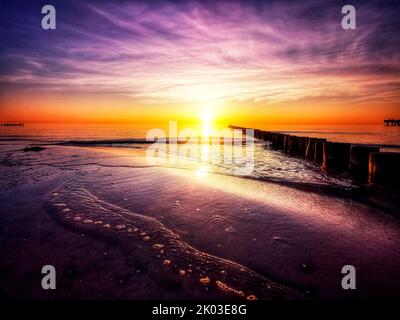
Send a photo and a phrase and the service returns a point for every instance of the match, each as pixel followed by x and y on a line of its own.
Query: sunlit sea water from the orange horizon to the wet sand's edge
pixel 268 164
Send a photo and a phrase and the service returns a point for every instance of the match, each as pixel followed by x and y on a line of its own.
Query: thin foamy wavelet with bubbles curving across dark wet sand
pixel 155 246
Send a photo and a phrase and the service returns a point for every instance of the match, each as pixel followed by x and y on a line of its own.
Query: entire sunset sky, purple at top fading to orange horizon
pixel 246 62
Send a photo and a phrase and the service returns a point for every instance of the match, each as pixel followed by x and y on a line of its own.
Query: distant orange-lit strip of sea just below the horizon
pixel 369 134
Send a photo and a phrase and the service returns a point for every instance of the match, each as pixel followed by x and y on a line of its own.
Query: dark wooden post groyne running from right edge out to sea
pixel 365 164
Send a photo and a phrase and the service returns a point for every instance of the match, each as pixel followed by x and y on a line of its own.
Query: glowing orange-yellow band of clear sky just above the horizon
pixel 118 109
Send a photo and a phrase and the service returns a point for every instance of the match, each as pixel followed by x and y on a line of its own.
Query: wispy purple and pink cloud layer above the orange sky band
pixel 188 50
